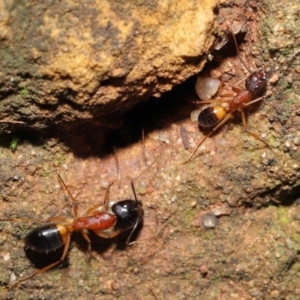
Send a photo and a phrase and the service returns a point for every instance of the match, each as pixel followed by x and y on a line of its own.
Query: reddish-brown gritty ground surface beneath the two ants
pixel 252 252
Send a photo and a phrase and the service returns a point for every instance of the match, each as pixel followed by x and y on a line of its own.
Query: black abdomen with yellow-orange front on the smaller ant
pixel 211 116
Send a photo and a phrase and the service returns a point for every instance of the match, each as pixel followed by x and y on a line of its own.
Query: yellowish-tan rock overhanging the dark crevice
pixel 67 62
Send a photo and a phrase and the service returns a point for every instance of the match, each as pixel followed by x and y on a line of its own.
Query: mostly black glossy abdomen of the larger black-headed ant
pixel 46 238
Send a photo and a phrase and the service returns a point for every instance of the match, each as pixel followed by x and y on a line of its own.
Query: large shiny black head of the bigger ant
pixel 129 214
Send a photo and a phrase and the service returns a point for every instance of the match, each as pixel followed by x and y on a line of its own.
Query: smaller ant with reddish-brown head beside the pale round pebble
pixel 216 115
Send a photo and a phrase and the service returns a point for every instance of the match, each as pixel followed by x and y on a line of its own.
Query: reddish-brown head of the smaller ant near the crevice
pixel 256 83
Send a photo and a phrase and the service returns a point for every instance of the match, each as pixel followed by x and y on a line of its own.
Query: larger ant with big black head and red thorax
pixel 106 220
